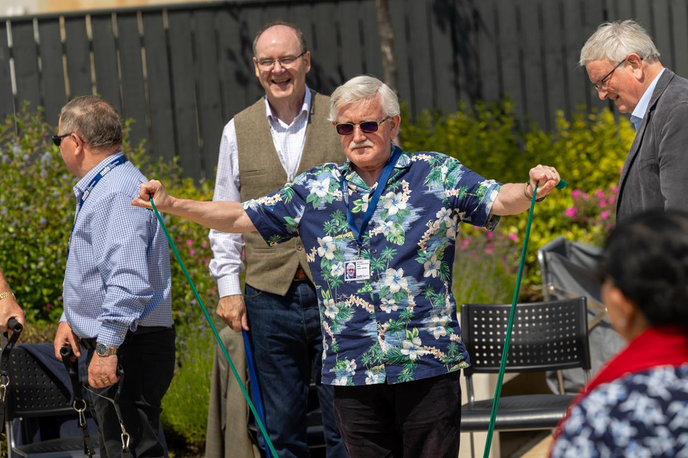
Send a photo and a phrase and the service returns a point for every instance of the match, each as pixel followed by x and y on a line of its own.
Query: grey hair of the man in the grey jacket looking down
pixel 616 40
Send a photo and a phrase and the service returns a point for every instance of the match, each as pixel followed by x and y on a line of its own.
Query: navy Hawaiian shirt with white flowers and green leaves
pixel 401 323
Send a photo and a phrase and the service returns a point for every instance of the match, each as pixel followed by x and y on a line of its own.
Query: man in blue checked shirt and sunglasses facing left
pixel 117 286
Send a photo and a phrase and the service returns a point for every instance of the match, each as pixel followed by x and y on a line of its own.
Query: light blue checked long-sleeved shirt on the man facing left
pixel 118 269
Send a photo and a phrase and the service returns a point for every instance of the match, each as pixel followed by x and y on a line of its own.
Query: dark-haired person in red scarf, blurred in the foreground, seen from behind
pixel 637 405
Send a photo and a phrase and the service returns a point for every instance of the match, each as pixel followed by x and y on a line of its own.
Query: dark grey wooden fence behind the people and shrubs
pixel 182 71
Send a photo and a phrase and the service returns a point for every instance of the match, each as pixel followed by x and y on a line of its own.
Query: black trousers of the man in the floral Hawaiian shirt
pixel 419 419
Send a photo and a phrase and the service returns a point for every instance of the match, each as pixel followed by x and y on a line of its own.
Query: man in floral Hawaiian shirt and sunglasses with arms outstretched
pixel 392 343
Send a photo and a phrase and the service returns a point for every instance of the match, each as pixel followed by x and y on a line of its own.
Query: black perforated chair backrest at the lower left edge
pixel 34 391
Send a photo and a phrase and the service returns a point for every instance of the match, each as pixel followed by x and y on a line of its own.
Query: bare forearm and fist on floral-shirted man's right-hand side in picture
pixel 514 198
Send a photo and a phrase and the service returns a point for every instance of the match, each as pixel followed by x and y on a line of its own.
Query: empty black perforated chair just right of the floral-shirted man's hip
pixel 546 336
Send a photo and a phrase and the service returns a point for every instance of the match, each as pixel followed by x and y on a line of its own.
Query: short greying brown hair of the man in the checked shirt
pixel 95 120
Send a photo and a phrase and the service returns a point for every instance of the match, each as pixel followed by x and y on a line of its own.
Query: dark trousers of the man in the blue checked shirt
pixel 148 363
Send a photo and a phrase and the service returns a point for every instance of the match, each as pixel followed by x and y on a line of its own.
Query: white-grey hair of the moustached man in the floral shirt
pixel 364 87
